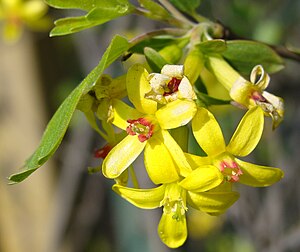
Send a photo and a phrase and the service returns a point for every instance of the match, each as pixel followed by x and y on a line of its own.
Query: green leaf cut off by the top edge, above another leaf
pixel 84 4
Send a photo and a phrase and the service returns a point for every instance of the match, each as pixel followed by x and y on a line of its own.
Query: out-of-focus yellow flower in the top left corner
pixel 15 13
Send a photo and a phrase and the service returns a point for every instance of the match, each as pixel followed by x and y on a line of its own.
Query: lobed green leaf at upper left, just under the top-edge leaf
pixel 96 16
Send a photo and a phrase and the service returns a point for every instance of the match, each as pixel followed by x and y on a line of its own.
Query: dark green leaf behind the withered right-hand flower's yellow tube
pixel 243 55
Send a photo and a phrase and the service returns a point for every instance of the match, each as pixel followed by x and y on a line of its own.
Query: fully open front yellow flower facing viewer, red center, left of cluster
pixel 146 127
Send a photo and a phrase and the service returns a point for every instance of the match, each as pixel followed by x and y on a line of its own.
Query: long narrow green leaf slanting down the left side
pixel 59 123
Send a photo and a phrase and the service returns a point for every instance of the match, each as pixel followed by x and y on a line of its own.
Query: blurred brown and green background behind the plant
pixel 61 208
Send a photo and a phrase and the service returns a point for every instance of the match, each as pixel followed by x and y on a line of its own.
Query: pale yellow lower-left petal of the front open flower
pixel 121 156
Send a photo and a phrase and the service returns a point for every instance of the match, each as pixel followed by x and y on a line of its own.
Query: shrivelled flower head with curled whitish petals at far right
pixel 252 94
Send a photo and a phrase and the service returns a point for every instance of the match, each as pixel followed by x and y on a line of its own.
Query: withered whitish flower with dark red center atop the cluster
pixel 170 85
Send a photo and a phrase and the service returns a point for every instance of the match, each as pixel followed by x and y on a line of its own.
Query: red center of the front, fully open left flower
pixel 140 127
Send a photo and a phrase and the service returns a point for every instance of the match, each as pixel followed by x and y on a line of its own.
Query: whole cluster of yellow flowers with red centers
pixel 160 110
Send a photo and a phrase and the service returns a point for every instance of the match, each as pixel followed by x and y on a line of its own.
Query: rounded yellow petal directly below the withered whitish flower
pixel 176 113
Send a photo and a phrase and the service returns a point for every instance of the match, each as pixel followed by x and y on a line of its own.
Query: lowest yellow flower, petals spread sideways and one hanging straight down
pixel 174 198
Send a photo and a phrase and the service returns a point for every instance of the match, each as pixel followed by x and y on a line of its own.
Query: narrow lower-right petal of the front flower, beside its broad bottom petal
pixel 176 153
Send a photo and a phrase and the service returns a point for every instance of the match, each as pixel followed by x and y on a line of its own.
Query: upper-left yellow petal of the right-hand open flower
pixel 208 132
